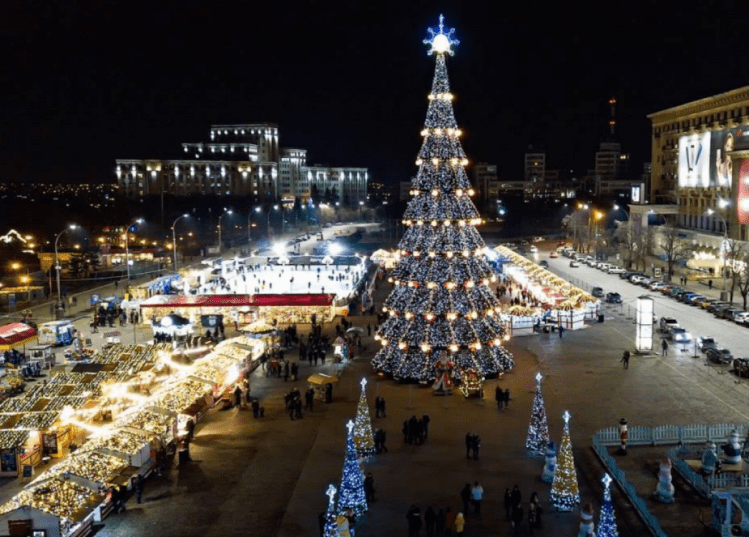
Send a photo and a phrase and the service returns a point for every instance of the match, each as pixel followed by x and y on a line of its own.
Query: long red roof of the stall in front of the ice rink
pixel 214 301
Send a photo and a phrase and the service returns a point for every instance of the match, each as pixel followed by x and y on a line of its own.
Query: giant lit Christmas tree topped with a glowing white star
pixel 441 307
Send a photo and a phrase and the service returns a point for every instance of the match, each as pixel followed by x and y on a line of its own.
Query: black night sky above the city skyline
pixel 85 82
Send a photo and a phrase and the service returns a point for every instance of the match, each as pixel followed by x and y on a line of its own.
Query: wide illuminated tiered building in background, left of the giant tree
pixel 240 160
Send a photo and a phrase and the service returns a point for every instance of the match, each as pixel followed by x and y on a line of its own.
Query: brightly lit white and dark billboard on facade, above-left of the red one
pixel 703 157
